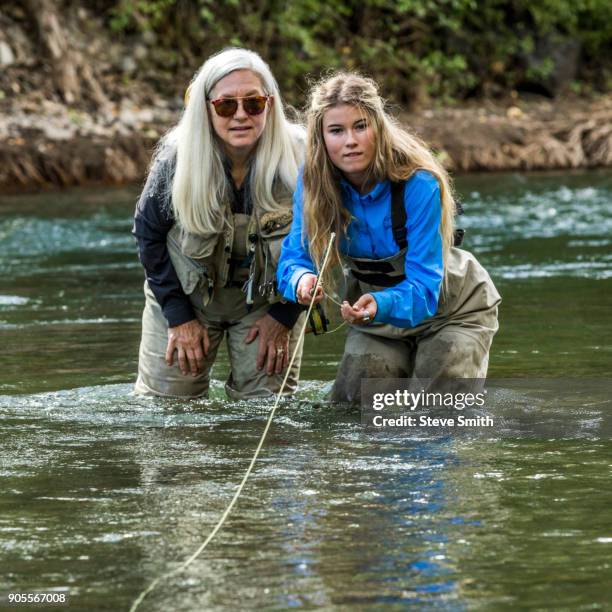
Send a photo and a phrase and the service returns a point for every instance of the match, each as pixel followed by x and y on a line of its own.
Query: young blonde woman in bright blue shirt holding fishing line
pixel 416 304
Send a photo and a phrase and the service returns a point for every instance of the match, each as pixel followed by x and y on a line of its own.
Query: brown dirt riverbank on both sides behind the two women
pixel 49 145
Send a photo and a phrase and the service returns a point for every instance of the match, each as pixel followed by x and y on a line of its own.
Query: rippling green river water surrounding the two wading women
pixel 103 491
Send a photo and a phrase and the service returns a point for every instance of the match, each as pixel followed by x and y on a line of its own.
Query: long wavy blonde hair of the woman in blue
pixel 398 155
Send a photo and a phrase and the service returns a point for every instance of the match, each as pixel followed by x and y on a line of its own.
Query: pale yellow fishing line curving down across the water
pixel 224 516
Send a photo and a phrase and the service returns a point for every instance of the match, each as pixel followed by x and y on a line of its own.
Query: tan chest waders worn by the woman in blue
pixel 453 343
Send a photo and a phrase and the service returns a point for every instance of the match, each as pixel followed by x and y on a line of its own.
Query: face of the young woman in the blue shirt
pixel 350 142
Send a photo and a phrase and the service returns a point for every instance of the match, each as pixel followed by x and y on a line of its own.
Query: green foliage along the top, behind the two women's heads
pixel 419 50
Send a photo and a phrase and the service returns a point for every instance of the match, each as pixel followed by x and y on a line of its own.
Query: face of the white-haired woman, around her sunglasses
pixel 240 132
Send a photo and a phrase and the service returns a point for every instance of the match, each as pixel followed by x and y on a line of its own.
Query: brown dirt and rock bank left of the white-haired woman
pixel 61 146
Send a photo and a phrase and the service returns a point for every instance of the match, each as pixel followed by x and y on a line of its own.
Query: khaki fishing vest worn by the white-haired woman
pixel 244 254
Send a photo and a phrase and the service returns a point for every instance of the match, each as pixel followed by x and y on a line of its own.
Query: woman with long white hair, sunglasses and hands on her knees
pixel 209 226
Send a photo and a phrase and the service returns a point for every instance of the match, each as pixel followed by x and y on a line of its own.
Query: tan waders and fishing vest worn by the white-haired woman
pixel 223 276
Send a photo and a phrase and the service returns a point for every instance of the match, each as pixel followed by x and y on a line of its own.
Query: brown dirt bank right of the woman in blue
pixel 527 135
